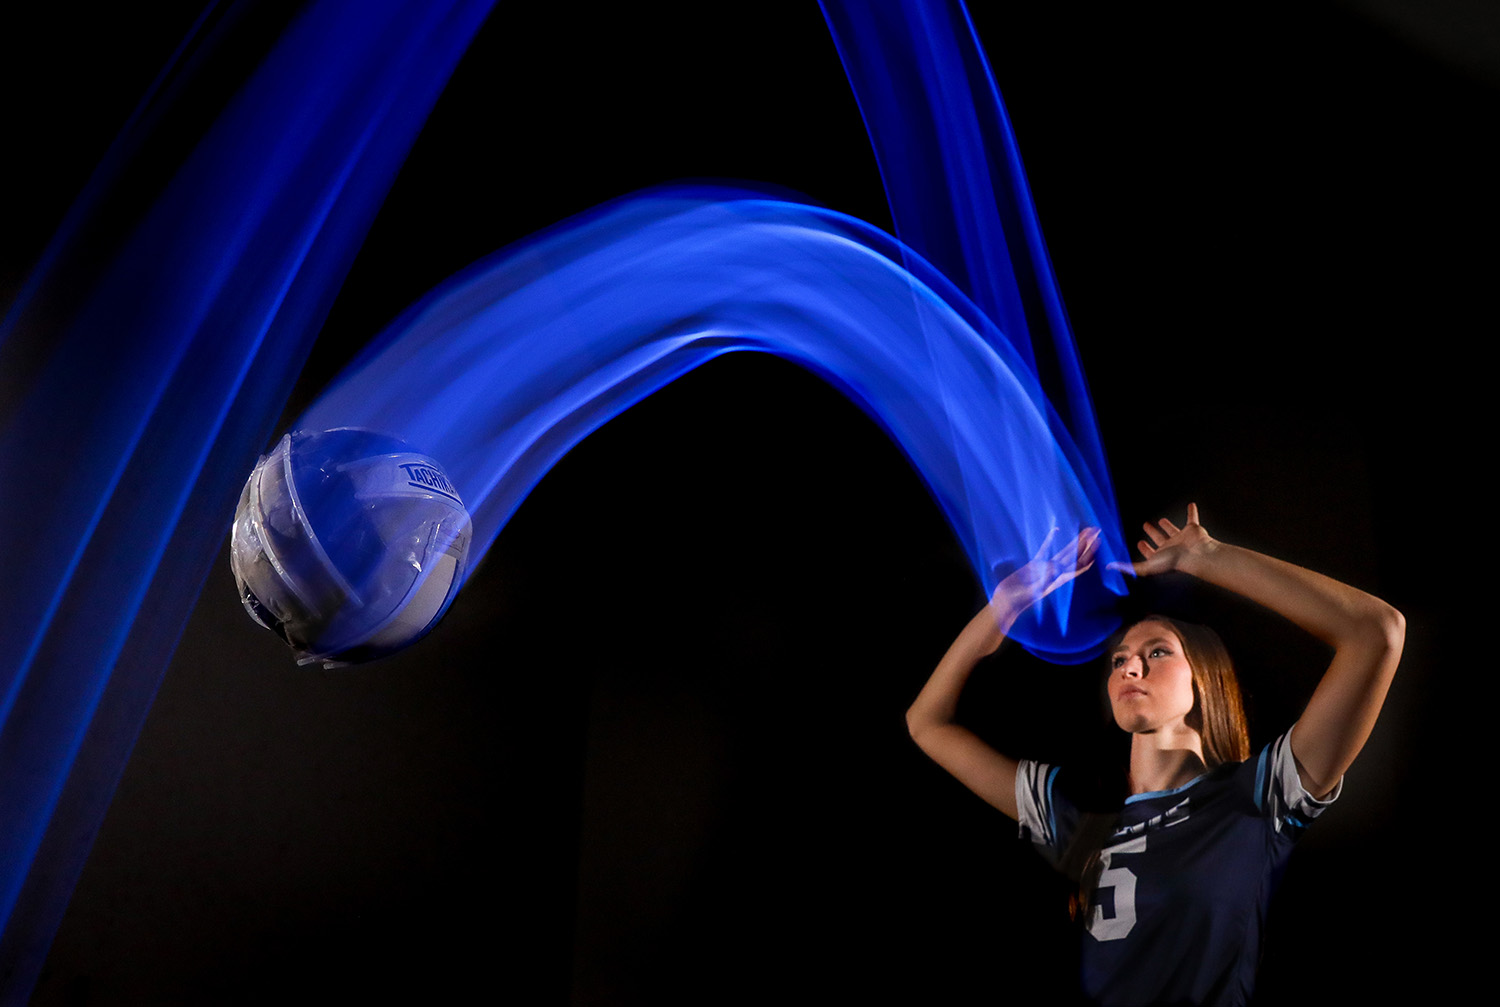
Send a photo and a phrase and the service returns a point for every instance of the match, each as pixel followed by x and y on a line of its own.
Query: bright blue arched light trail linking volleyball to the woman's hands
pixel 508 367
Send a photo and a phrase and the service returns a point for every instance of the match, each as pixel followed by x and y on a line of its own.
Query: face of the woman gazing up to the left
pixel 1151 682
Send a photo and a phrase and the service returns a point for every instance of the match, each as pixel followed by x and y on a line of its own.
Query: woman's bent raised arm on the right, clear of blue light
pixel 1367 637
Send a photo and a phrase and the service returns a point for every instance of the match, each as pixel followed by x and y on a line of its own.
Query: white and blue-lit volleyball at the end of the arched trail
pixel 349 544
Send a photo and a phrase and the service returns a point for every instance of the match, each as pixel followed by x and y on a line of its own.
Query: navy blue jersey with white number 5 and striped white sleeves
pixel 1187 877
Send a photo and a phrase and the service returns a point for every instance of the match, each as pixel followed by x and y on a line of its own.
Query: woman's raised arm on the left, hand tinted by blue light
pixel 931 720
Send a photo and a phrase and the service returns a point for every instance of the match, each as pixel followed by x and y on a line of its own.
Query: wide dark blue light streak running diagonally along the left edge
pixel 143 391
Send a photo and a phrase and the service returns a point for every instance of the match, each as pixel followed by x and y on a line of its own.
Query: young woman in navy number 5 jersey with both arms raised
pixel 1175 883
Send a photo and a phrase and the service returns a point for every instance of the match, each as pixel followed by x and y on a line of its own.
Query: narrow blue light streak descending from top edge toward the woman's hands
pixel 956 187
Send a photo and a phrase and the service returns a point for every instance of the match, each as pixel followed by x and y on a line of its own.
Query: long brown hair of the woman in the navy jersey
pixel 1219 717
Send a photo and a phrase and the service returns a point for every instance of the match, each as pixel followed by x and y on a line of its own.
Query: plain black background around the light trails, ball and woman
pixel 656 751
